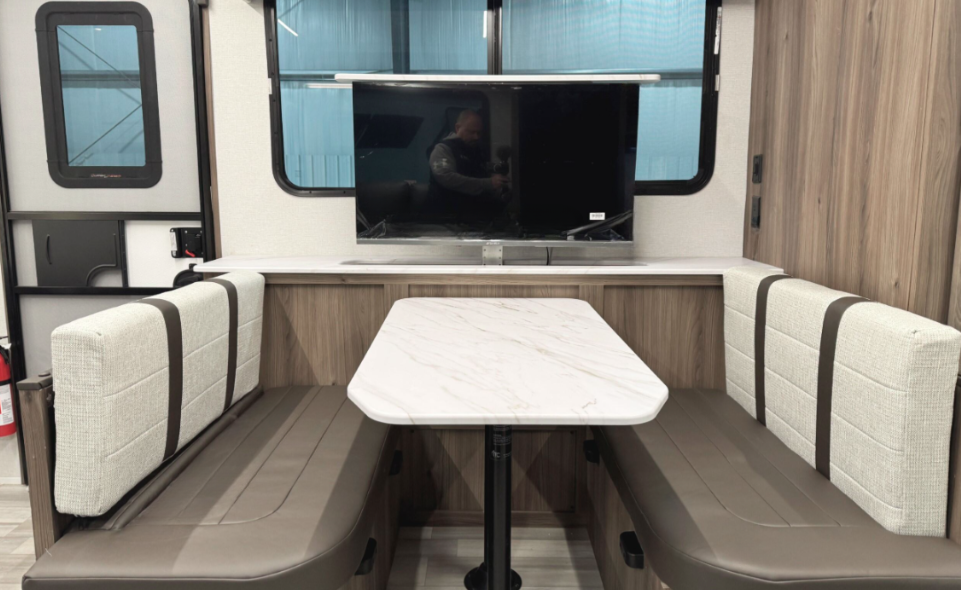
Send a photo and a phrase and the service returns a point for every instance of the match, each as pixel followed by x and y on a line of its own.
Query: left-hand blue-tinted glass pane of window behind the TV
pixel 317 40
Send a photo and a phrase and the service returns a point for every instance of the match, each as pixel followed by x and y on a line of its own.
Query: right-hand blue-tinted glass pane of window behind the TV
pixel 623 36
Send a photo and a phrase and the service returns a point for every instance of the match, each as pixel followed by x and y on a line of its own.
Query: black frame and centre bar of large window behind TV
pixel 709 101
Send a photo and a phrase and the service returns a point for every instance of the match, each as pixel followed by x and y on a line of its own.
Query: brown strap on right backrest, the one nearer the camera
pixel 829 345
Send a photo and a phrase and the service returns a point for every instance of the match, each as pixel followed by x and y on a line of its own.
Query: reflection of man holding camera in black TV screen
pixel 460 182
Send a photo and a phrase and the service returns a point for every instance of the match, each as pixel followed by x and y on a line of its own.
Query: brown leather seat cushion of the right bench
pixel 719 502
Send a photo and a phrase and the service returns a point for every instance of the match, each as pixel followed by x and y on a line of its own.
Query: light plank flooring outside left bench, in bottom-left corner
pixel 16 535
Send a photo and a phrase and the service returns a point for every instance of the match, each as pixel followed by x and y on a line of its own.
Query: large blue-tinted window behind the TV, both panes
pixel 310 41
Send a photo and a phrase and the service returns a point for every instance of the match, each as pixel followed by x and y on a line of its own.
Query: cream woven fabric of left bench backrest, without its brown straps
pixel 111 373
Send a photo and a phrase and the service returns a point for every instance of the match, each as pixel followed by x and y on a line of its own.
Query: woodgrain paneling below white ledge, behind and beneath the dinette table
pixel 318 334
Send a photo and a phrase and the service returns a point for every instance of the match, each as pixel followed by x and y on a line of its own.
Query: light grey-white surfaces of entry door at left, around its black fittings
pixel 32 189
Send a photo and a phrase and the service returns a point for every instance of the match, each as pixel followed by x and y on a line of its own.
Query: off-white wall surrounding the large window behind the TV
pixel 257 217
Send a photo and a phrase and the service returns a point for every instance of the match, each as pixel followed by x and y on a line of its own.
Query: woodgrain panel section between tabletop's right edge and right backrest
pixel 677 331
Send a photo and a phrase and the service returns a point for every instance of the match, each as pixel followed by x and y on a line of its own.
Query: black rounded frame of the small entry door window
pixel 54 14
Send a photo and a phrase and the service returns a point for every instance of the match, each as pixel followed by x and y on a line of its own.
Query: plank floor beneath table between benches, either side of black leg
pixel 438 558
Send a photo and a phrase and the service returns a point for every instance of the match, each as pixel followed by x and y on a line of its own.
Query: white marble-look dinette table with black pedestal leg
pixel 502 363
